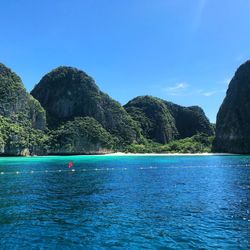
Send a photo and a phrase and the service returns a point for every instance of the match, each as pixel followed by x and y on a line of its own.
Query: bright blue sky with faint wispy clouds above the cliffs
pixel 184 51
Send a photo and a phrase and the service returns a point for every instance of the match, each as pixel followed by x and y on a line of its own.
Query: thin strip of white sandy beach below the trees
pixel 168 154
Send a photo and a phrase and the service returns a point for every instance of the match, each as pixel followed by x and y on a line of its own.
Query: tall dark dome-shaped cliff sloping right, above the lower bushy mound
pixel 66 93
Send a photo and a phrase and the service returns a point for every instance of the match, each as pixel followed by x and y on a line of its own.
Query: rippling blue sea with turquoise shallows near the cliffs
pixel 128 202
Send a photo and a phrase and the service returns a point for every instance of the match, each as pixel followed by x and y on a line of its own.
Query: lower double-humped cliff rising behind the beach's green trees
pixel 162 121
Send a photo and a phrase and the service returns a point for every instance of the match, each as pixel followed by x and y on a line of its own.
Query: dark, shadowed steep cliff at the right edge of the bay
pixel 233 118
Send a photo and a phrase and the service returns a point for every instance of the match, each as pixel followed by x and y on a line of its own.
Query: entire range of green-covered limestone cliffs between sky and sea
pixel 67 113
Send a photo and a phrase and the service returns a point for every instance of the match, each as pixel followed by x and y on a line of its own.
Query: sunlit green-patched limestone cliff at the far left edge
pixel 22 118
